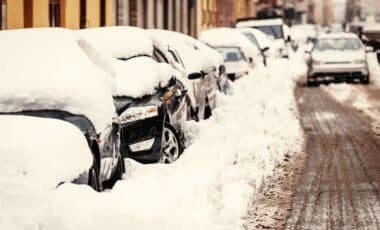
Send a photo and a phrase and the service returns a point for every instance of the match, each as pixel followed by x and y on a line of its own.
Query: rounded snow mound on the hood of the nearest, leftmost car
pixel 39 153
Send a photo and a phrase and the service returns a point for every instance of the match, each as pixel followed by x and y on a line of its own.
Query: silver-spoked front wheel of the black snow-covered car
pixel 171 147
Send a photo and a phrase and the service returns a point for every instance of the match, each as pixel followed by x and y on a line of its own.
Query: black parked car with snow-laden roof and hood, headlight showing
pixel 149 98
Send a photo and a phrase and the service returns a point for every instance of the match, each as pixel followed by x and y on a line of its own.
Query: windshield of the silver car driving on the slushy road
pixel 337 44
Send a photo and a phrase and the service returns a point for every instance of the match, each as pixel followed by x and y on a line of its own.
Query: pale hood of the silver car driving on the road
pixel 338 56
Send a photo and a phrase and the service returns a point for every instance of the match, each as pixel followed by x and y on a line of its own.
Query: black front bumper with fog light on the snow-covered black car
pixel 141 140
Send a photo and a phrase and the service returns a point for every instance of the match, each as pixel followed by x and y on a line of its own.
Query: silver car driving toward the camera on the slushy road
pixel 338 56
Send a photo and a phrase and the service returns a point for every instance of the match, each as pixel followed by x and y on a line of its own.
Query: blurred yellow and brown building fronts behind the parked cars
pixel 186 16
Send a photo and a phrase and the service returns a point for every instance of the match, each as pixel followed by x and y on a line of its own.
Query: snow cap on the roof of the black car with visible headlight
pixel 119 41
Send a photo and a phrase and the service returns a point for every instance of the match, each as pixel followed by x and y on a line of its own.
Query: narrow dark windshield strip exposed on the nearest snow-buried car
pixel 80 121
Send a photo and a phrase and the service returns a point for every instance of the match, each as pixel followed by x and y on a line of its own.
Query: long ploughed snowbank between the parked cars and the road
pixel 210 186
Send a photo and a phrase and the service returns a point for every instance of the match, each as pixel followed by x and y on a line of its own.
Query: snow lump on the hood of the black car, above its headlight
pixel 141 76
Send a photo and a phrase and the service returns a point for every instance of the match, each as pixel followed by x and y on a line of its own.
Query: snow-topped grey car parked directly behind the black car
pixel 202 66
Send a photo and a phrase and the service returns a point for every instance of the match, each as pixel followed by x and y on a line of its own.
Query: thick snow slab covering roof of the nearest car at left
pixel 45 69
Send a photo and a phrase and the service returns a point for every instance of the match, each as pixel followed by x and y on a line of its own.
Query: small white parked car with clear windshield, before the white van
pixel 235 62
